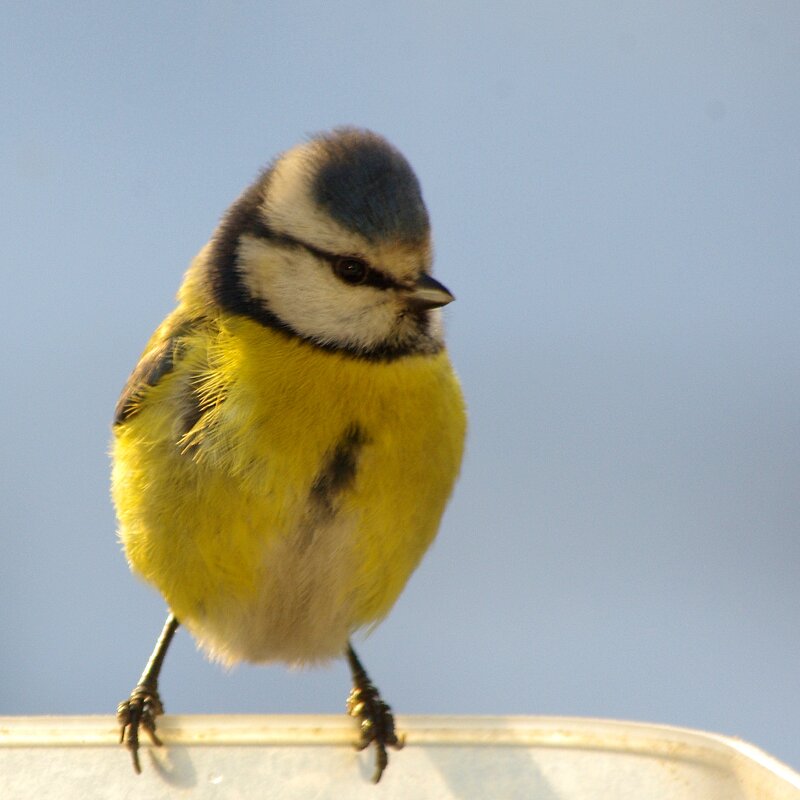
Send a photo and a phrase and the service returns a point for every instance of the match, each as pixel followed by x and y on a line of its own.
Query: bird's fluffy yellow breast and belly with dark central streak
pixel 296 508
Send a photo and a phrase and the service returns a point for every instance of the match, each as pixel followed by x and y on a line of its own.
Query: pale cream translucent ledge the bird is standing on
pixel 553 758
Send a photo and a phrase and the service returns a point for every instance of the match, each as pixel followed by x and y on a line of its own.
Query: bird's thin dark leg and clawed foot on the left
pixel 144 704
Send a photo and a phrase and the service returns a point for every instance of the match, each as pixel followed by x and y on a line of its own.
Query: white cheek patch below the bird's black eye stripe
pixel 304 293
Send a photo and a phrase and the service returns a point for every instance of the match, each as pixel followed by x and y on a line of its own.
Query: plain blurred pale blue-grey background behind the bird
pixel 615 190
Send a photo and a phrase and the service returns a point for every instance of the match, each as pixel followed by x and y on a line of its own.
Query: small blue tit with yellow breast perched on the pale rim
pixel 284 450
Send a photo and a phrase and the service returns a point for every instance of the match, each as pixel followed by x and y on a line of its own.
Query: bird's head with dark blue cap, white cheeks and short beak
pixel 332 243
